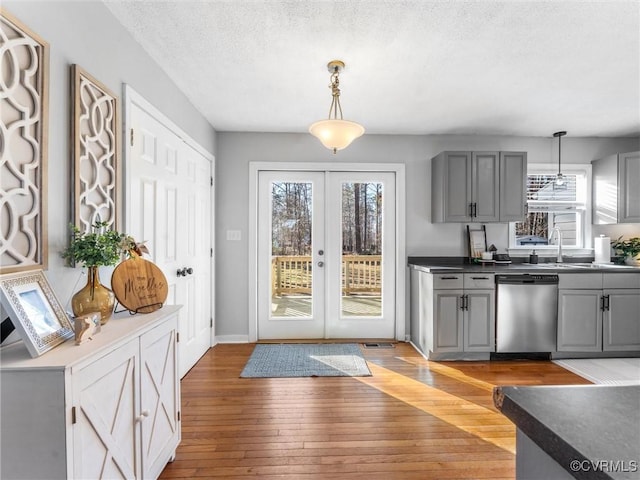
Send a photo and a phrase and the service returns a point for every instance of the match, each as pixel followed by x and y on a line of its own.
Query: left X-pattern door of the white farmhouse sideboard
pixel 105 394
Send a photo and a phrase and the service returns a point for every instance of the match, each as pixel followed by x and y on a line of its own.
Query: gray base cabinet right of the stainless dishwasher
pixel 599 312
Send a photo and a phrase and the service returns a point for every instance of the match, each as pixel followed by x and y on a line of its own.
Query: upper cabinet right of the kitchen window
pixel 616 197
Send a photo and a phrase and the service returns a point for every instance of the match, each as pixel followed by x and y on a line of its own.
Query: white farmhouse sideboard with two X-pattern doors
pixel 106 409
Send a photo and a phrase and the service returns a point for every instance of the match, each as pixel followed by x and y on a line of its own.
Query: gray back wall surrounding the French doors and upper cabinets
pixel 236 150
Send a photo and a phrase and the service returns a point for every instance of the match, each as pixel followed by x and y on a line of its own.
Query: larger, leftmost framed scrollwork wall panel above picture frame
pixel 24 81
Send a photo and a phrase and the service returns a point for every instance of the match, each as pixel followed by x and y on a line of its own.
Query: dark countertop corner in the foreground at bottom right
pixel 580 423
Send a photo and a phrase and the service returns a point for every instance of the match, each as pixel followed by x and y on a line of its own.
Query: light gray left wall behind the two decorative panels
pixel 87 34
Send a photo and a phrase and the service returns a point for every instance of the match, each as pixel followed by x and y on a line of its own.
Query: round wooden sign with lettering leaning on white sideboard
pixel 139 285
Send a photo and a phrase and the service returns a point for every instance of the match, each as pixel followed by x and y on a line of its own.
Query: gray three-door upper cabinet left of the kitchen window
pixel 478 186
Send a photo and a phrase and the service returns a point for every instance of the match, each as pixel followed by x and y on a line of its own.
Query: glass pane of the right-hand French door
pixel 361 250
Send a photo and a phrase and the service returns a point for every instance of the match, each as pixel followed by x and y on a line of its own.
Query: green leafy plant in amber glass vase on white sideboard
pixel 95 248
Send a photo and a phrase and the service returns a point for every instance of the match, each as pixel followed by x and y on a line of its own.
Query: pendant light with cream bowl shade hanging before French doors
pixel 336 133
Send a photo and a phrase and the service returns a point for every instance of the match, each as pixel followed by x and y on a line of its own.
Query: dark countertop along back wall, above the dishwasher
pixel 460 264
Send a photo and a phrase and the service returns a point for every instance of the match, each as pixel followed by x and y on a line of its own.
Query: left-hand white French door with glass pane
pixel 291 255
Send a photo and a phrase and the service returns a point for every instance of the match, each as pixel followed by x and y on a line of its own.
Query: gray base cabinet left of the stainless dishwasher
pixel 453 314
